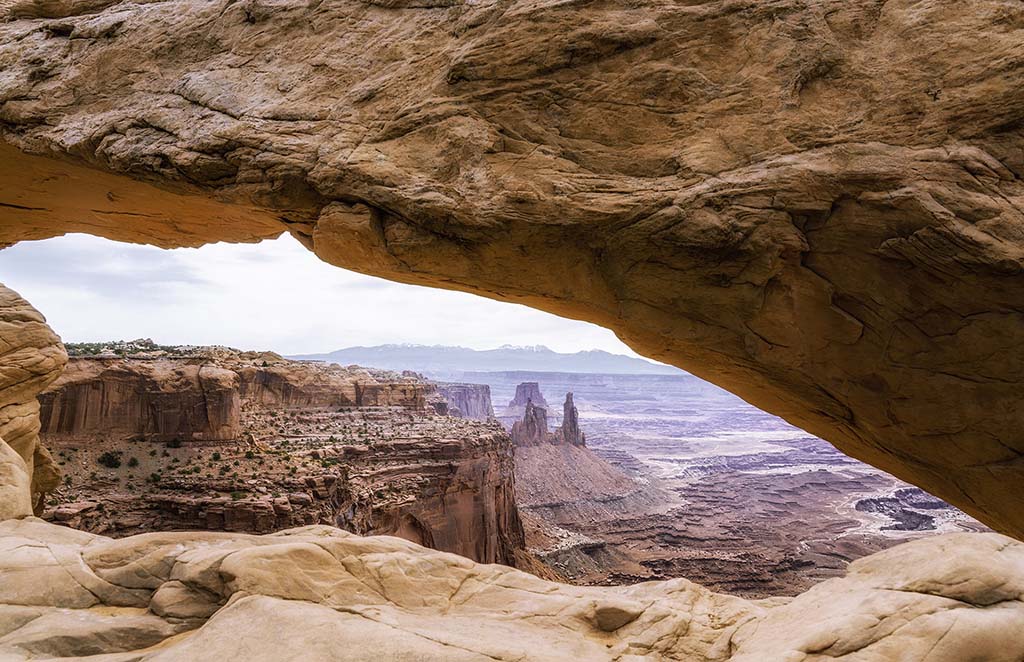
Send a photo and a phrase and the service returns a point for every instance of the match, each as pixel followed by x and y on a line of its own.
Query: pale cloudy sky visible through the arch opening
pixel 274 296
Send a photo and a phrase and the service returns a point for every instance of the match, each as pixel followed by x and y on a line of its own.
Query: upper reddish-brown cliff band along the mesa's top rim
pixel 200 398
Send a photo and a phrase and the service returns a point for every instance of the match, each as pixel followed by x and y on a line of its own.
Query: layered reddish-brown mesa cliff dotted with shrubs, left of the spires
pixel 231 442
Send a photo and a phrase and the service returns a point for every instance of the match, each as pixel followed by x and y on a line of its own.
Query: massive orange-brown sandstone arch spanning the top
pixel 817 205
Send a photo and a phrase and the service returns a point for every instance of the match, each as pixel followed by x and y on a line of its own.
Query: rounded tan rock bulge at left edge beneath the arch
pixel 31 358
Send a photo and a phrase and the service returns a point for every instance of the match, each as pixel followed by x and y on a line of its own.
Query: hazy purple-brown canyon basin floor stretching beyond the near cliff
pixel 679 479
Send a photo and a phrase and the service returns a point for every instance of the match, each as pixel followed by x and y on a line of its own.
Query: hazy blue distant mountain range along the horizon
pixel 448 360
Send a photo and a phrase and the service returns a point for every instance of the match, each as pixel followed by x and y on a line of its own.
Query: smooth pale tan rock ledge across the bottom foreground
pixel 68 595
